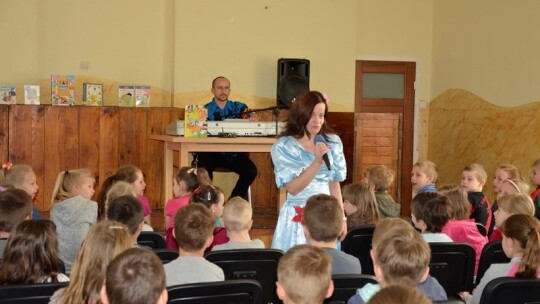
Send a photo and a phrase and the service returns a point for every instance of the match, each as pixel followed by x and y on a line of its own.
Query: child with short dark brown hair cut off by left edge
pixel 15 207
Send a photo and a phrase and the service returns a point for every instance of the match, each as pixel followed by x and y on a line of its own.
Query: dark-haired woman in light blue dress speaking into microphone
pixel 299 165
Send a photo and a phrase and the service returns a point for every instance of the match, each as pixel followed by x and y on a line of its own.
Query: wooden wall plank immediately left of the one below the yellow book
pixel 71 136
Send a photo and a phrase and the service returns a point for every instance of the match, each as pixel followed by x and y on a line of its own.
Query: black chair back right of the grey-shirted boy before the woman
pixel 358 243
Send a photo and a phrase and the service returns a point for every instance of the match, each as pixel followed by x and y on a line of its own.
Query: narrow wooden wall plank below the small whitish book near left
pixel 38 155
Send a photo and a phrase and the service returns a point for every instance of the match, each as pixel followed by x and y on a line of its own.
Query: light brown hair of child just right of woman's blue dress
pixel 360 195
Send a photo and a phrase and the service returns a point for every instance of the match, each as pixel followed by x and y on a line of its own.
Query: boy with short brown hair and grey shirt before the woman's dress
pixel 323 219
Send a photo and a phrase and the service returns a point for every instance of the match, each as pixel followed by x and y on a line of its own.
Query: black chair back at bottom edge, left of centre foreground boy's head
pixel 225 292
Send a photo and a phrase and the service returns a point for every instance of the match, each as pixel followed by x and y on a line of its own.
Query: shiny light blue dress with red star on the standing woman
pixel 290 160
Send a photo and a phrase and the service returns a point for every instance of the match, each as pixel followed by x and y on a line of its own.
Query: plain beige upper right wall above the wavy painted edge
pixel 488 47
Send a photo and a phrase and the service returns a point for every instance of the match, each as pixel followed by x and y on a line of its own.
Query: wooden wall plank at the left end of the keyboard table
pixel 154 155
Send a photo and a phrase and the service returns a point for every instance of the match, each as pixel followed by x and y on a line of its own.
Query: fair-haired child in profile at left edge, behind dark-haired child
pixel 20 177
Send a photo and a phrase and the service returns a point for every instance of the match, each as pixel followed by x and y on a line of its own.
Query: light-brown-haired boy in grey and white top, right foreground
pixel 400 256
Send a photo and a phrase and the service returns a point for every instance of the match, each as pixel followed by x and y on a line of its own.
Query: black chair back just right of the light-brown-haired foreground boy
pixel 452 264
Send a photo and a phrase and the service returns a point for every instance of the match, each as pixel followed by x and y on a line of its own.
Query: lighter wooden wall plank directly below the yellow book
pixel 89 132
